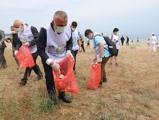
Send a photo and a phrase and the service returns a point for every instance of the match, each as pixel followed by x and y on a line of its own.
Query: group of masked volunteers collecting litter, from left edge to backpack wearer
pixel 53 43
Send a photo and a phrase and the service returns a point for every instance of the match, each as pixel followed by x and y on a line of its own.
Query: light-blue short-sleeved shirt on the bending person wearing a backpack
pixel 97 40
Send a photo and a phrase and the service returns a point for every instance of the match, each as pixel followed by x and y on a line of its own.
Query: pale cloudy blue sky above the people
pixel 132 17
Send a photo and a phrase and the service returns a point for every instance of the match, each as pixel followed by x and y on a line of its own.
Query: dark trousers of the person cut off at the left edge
pixel 3 63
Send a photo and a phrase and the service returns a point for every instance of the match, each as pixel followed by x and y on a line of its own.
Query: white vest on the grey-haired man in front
pixel 56 43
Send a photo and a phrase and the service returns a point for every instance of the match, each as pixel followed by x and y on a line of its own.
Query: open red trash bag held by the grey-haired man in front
pixel 68 82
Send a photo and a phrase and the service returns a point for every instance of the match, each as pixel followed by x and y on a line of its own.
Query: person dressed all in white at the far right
pixel 153 42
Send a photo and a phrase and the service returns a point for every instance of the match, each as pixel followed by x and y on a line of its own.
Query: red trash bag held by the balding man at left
pixel 24 57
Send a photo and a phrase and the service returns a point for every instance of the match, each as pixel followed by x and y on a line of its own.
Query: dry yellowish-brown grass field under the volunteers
pixel 132 92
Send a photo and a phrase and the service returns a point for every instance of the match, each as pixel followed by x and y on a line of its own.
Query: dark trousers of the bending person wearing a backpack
pixel 103 73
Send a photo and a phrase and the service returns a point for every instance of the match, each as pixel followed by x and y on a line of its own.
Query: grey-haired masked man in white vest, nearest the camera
pixel 54 44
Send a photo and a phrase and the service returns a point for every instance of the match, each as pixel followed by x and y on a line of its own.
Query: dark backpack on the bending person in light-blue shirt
pixel 111 45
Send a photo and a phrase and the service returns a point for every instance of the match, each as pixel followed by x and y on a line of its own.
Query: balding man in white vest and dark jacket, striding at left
pixel 26 35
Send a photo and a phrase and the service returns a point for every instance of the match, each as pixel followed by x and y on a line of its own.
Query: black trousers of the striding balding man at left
pixel 35 68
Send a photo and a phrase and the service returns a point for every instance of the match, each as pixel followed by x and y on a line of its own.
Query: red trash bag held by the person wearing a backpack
pixel 95 76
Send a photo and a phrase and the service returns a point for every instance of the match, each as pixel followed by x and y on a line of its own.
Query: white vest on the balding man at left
pixel 27 36
